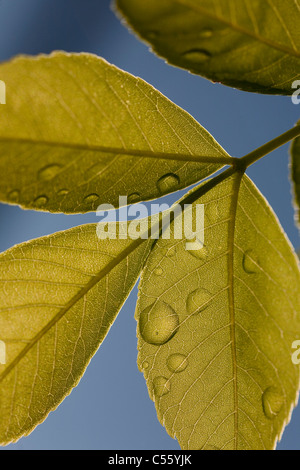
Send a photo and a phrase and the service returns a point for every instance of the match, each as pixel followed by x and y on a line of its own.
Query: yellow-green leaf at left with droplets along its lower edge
pixel 77 132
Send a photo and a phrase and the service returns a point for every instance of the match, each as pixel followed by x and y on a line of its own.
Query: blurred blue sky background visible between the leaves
pixel 110 409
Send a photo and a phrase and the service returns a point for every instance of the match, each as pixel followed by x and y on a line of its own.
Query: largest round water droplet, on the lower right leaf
pixel 158 323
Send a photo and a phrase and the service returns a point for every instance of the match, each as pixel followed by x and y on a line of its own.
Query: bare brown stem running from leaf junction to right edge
pixel 257 154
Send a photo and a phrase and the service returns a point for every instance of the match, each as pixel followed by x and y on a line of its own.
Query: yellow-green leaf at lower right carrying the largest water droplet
pixel 216 325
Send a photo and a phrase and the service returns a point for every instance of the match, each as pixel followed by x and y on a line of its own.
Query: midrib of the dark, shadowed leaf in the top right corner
pixel 236 27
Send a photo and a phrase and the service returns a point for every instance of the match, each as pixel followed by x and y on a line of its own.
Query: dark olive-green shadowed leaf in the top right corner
pixel 253 45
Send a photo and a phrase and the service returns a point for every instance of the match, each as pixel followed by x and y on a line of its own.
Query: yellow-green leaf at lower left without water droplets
pixel 59 295
